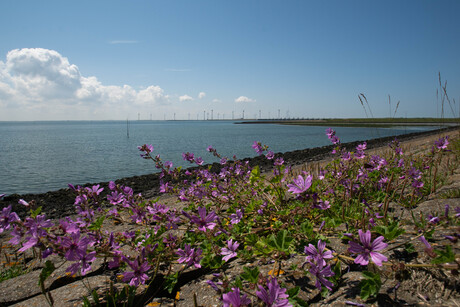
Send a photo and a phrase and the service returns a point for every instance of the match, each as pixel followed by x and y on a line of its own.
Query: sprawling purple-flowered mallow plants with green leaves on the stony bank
pixel 239 214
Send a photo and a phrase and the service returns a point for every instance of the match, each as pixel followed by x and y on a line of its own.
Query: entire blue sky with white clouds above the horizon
pixel 118 60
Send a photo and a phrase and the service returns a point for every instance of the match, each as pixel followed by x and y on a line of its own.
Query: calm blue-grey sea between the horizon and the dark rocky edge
pixel 37 157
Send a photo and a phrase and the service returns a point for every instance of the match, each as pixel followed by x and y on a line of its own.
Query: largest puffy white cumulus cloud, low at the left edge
pixel 37 77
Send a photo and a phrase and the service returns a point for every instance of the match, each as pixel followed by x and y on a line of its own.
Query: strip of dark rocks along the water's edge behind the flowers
pixel 57 204
